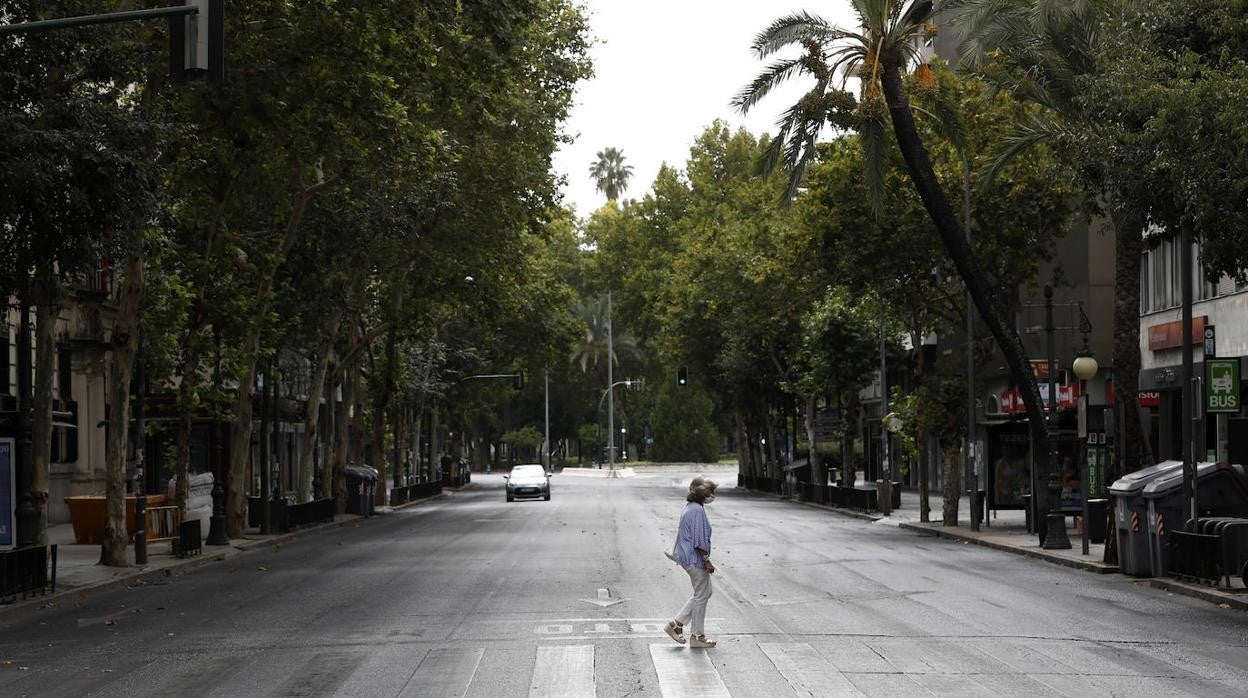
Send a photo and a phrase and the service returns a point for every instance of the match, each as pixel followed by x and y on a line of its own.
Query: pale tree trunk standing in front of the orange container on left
pixel 124 343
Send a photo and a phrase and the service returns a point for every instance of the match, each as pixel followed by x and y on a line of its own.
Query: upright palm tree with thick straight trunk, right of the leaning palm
pixel 1046 49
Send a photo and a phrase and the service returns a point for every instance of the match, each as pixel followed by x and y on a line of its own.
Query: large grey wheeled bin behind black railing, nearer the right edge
pixel 1221 490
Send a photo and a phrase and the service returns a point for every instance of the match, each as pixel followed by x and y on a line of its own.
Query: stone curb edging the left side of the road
pixel 22 611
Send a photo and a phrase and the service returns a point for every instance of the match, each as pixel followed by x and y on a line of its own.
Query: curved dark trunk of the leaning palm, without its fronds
pixel 1007 335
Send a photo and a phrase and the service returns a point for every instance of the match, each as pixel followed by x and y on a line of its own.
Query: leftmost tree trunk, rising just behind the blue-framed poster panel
pixel 48 302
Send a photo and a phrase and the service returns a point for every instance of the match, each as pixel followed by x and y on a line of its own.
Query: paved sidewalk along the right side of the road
pixel 1008 531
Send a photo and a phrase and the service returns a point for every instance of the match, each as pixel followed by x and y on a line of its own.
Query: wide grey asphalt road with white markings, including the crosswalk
pixel 471 596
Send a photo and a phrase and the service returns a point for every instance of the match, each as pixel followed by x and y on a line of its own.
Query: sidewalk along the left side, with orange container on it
pixel 79 574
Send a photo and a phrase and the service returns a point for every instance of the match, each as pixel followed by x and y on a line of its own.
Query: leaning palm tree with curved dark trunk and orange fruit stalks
pixel 880 53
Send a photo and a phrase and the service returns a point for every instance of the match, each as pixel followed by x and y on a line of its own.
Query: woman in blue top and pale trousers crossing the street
pixel 693 555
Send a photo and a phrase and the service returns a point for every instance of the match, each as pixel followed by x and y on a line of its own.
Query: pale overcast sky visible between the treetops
pixel 665 71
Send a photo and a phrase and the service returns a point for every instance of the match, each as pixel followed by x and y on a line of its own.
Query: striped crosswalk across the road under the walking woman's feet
pixel 742 666
